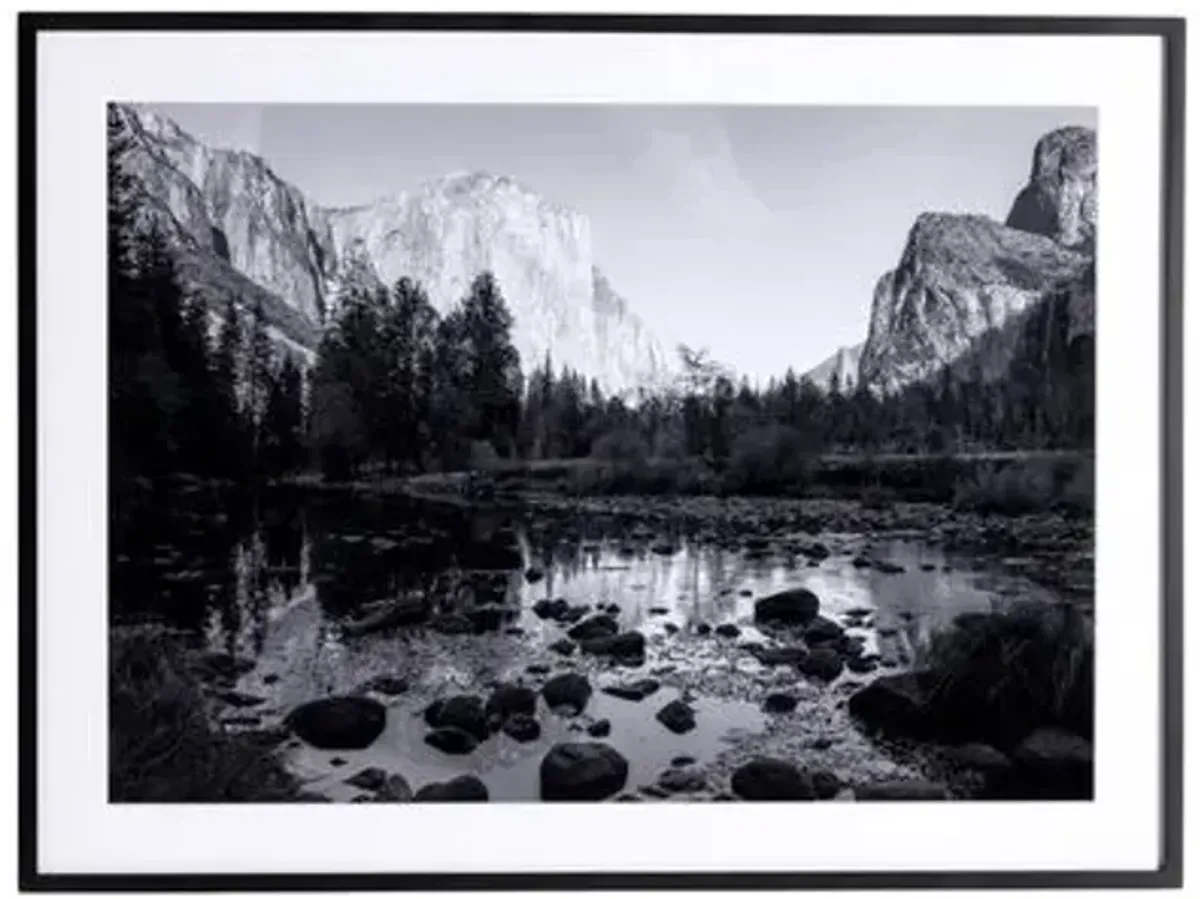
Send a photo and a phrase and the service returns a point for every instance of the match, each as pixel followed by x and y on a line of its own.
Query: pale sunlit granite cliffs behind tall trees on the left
pixel 243 231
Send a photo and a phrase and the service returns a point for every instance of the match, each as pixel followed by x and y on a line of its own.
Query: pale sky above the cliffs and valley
pixel 757 232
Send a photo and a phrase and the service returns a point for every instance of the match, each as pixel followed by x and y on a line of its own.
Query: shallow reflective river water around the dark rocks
pixel 277 585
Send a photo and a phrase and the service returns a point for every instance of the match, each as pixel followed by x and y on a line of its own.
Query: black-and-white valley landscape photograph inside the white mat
pixel 646 454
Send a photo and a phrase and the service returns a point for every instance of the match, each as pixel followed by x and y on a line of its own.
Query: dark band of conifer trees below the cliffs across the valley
pixel 397 386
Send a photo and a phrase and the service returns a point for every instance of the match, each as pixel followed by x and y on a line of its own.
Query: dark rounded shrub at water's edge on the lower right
pixel 1000 676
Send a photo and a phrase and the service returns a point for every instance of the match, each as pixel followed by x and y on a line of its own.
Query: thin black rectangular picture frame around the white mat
pixel 1173 34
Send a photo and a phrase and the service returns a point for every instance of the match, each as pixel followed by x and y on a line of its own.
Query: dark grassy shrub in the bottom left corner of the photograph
pixel 161 745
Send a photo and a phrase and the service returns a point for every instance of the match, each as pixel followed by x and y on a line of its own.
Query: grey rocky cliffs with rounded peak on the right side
pixel 965 284
